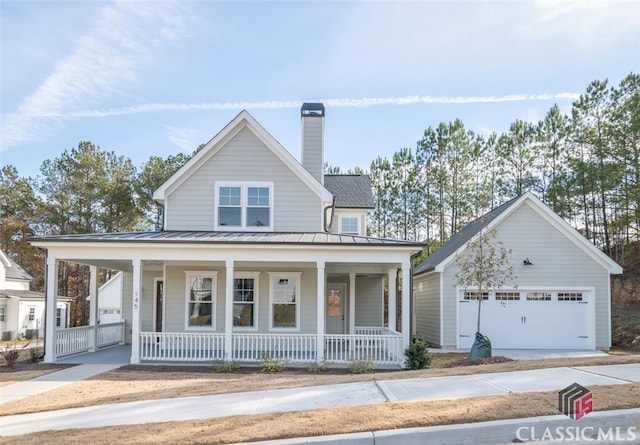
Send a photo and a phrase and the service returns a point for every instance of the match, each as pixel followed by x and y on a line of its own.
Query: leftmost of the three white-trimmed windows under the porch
pixel 201 299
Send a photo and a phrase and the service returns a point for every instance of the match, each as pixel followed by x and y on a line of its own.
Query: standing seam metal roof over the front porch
pixel 205 237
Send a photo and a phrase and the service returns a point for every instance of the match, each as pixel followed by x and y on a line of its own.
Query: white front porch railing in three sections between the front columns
pixel 380 345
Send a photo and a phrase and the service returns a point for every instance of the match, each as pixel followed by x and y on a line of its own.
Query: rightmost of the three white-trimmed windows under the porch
pixel 284 298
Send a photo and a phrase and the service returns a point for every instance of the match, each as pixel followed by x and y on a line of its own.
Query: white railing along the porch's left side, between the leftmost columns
pixel 81 339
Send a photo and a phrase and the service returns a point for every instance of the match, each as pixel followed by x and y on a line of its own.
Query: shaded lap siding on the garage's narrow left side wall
pixel 427 308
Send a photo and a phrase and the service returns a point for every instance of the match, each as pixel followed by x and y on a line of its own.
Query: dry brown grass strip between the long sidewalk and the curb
pixel 333 421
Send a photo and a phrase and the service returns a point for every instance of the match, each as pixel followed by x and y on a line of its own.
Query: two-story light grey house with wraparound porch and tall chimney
pixel 259 254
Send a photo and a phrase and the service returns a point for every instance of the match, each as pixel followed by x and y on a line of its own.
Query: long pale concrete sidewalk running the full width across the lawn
pixel 309 398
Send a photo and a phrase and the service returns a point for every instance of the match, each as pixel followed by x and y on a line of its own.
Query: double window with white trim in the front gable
pixel 244 206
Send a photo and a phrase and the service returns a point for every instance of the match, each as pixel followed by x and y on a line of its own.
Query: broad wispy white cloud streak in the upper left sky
pixel 103 60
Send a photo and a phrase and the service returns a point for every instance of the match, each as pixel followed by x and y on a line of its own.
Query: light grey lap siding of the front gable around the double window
pixel 244 158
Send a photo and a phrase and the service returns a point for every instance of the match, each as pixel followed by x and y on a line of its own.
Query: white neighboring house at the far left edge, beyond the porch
pixel 22 310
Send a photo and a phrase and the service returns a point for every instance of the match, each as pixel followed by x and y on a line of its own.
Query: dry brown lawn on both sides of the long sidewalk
pixel 153 382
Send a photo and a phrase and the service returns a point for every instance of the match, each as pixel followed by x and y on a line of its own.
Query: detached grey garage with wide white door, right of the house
pixel 561 298
